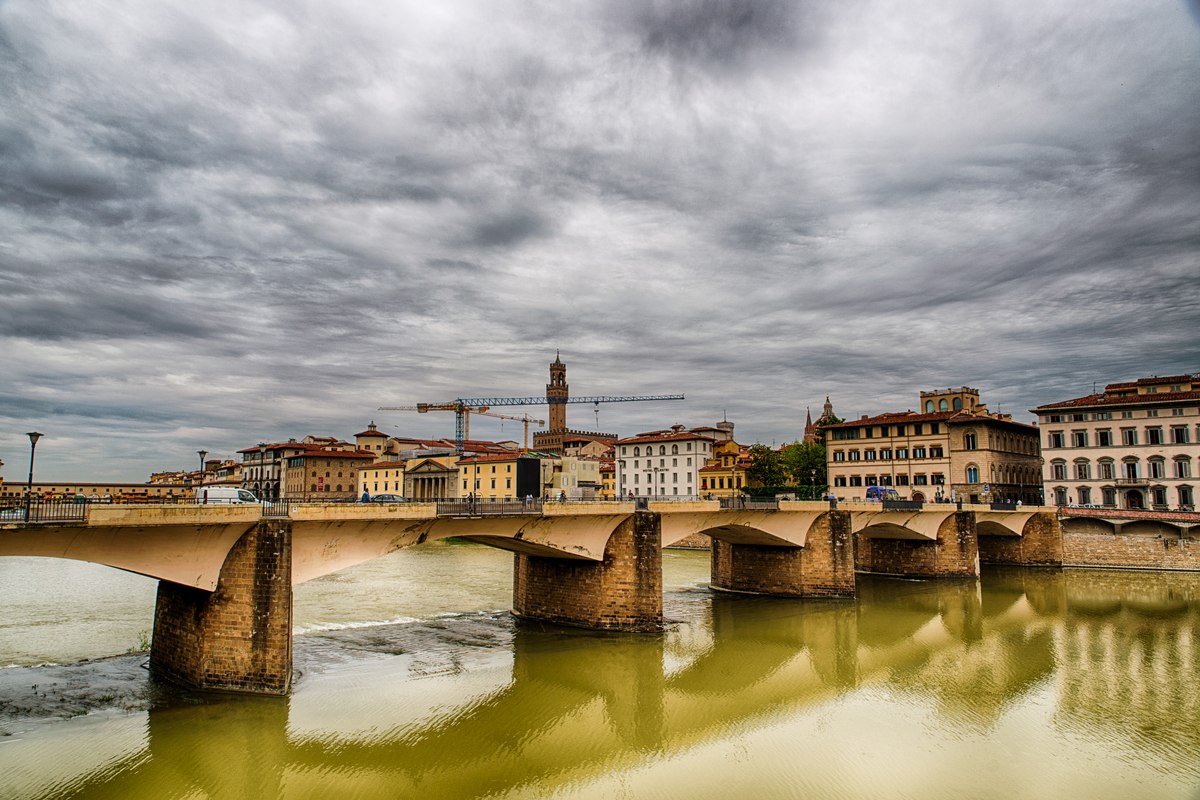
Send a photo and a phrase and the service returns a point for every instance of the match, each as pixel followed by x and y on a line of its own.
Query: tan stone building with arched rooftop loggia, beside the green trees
pixel 957 452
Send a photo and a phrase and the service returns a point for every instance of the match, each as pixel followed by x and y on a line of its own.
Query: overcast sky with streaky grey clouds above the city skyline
pixel 224 222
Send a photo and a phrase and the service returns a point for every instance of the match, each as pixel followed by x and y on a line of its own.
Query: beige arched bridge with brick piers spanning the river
pixel 224 612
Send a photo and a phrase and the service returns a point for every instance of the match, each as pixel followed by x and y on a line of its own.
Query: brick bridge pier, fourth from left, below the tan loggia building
pixel 953 555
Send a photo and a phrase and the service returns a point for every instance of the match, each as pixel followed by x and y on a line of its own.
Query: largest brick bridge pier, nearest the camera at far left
pixel 239 637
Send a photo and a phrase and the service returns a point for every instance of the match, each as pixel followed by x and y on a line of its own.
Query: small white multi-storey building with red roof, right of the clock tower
pixel 662 464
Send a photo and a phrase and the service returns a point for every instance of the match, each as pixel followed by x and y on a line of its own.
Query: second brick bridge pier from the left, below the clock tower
pixel 623 593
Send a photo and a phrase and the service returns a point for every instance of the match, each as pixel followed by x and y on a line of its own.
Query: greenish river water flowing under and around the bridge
pixel 413 681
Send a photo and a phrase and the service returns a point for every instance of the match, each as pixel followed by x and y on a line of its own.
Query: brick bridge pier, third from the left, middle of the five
pixel 824 568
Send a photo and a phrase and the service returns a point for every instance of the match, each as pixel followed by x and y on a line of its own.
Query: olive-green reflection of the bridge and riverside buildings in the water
pixel 1120 652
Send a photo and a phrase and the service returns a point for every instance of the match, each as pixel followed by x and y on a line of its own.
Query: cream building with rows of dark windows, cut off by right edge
pixel 1136 446
